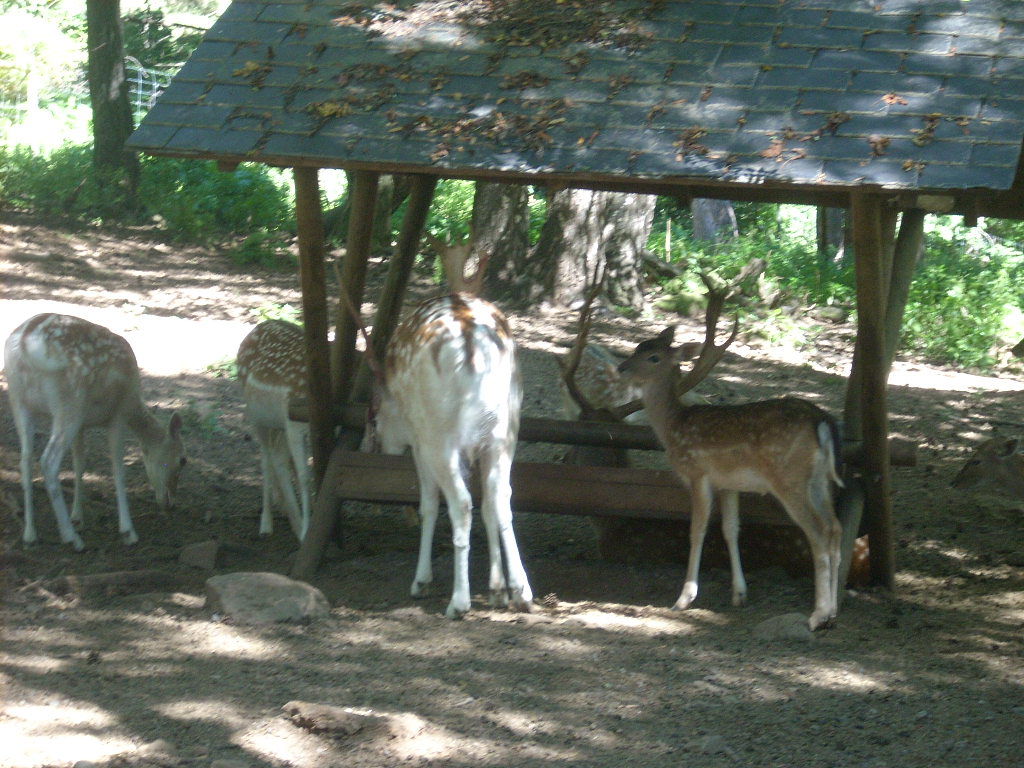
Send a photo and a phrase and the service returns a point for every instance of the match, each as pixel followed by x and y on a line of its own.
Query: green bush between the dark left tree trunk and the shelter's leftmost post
pixel 196 201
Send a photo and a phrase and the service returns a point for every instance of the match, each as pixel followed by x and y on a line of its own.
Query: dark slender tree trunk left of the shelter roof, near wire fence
pixel 112 118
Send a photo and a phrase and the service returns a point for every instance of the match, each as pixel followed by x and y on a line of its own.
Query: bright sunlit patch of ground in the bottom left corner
pixel 59 734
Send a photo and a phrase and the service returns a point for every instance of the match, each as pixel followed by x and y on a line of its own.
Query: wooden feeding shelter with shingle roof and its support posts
pixel 883 107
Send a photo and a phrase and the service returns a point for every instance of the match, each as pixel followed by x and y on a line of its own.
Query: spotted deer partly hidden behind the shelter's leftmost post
pixel 273 371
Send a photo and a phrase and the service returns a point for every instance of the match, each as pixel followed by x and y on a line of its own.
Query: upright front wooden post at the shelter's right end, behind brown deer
pixel 873 286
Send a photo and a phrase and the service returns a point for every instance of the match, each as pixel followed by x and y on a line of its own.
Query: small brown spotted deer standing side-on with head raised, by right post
pixel 788 448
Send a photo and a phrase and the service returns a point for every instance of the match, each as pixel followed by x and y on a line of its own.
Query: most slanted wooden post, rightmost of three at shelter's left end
pixel 400 268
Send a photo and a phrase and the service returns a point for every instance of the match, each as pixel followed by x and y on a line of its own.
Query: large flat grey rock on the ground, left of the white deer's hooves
pixel 264 599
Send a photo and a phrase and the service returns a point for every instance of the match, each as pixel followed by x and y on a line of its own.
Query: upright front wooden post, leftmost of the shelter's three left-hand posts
pixel 310 219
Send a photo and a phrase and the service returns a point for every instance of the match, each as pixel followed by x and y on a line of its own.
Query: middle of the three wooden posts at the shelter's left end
pixel 354 278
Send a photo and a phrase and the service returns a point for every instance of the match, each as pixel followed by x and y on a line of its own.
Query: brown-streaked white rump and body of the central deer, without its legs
pixel 451 375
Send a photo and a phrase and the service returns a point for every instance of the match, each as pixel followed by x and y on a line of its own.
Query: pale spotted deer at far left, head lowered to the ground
pixel 79 375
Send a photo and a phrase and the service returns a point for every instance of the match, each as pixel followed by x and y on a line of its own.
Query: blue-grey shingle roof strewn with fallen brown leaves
pixel 901 94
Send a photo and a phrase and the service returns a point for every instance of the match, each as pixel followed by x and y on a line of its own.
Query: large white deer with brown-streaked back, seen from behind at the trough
pixel 452 391
